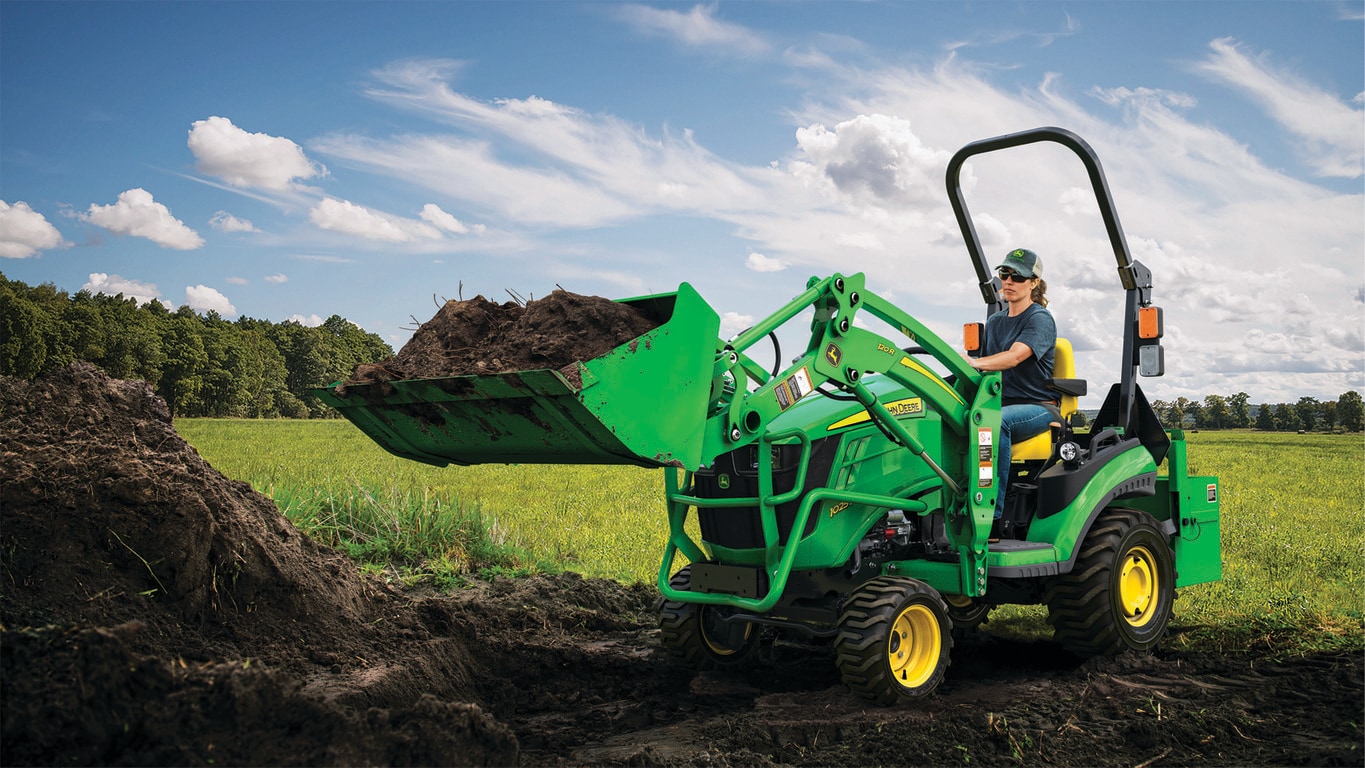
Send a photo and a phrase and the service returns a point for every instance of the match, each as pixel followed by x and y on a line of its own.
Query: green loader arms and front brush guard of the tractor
pixel 842 355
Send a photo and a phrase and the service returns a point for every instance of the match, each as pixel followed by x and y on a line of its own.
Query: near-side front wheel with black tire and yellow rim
pixel 895 640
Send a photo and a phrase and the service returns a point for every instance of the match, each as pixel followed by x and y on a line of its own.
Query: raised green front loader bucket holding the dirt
pixel 645 403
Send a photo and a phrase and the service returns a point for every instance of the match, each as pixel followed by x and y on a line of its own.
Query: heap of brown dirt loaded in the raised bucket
pixel 478 336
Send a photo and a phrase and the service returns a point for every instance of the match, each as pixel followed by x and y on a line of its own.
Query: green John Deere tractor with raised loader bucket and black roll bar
pixel 851 496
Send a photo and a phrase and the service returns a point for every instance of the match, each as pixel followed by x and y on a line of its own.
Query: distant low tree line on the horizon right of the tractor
pixel 1308 414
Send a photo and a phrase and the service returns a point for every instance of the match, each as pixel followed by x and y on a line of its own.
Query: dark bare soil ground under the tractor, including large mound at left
pixel 156 613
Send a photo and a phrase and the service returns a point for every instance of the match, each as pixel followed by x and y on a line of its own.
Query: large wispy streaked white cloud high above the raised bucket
pixel 582 171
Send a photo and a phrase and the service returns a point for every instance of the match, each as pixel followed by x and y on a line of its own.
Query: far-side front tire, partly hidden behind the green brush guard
pixel 697 634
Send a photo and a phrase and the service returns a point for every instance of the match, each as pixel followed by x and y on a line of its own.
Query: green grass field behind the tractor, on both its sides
pixel 1292 522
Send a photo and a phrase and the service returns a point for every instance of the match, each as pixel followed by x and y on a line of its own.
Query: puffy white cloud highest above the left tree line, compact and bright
pixel 249 160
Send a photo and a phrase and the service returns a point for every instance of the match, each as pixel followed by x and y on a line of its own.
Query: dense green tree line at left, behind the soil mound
pixel 200 365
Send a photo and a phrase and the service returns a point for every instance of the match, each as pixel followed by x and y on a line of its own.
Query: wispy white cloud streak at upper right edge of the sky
pixel 1332 129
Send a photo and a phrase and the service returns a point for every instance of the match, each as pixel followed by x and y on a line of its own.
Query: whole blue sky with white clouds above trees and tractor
pixel 300 160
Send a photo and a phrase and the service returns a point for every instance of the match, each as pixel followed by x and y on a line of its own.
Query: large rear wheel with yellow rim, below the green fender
pixel 1120 593
